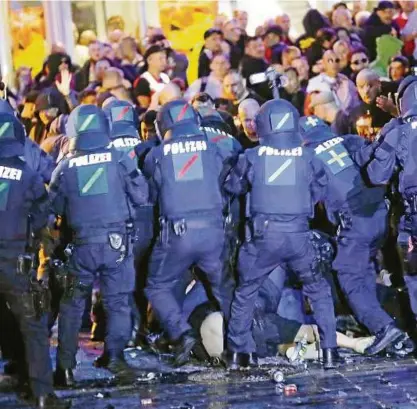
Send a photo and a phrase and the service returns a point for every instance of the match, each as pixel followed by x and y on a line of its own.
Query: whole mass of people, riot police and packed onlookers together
pixel 207 217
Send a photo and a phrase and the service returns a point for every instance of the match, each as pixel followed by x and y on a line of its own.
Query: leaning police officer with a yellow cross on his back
pixel 362 228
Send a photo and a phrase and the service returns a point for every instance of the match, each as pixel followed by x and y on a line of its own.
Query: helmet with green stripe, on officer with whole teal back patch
pixel 87 128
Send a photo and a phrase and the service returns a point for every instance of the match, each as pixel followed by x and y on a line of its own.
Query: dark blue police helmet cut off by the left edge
pixel 12 135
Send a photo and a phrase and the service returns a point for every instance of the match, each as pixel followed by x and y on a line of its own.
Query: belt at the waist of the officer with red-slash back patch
pixel 180 226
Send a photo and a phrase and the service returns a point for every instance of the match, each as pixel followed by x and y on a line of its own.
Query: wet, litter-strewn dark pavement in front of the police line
pixel 362 383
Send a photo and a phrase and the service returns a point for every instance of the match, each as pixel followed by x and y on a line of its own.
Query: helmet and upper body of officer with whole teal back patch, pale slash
pixel 92 192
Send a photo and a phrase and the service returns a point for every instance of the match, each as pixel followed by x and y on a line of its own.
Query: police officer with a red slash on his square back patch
pixel 184 174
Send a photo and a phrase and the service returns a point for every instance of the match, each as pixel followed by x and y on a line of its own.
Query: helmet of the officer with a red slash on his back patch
pixel 177 116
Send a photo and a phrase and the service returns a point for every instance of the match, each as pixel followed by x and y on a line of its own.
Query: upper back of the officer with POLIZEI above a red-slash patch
pixel 186 167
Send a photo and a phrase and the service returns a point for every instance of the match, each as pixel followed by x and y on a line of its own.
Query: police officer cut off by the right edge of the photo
pixel 394 152
